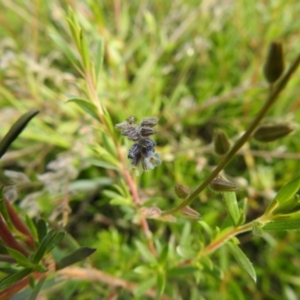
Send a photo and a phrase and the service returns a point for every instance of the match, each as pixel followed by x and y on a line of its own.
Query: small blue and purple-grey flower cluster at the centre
pixel 142 152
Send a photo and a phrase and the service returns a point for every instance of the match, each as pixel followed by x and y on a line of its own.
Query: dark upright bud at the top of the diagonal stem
pixel 274 64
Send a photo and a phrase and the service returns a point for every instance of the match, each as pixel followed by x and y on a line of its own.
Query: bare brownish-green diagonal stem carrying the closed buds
pixel 273 96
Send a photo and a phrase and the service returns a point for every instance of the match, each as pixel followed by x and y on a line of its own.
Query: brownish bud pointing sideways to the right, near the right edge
pixel 269 133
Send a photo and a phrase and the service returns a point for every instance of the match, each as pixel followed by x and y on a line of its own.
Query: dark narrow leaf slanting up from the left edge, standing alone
pixel 15 130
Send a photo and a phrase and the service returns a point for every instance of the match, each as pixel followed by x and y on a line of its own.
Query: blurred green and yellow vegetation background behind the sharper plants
pixel 197 66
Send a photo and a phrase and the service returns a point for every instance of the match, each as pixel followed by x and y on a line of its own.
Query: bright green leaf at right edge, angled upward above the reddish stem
pixel 285 194
